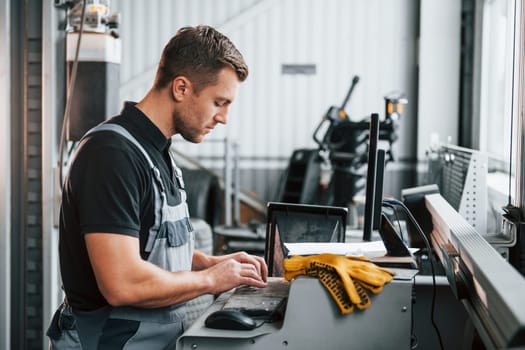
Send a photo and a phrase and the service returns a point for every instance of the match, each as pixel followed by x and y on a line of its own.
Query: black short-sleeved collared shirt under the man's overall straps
pixel 109 188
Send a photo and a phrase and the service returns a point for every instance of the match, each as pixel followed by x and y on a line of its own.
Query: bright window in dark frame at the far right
pixel 497 117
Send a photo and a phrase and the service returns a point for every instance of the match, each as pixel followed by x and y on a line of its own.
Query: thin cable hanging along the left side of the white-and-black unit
pixel 70 90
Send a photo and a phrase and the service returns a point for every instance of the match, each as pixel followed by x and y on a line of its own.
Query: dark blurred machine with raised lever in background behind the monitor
pixel 342 154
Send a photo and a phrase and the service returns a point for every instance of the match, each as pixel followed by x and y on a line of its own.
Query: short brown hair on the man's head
pixel 198 53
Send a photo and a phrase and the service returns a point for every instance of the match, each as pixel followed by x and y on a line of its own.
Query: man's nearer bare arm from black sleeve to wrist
pixel 124 278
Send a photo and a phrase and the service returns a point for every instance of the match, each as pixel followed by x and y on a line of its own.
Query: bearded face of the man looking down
pixel 200 113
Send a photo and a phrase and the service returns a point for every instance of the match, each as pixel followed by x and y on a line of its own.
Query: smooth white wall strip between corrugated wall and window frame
pixel 439 63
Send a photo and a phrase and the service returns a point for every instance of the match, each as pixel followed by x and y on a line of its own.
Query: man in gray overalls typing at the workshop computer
pixel 126 242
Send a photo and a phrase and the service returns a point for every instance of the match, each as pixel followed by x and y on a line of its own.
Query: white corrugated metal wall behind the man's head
pixel 274 113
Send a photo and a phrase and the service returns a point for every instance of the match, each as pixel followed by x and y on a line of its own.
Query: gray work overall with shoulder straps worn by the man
pixel 170 246
